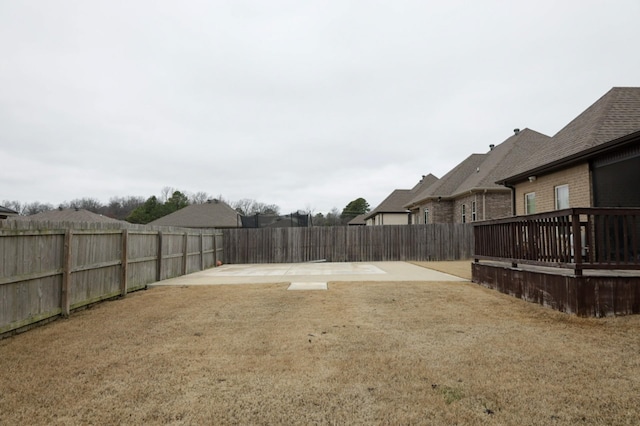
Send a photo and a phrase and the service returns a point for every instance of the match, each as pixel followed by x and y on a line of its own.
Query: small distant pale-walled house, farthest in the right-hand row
pixel 392 210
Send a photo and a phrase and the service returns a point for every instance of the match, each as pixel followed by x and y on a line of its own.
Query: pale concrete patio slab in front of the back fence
pixel 310 272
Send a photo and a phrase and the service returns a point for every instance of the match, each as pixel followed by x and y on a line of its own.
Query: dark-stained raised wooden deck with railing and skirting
pixel 580 261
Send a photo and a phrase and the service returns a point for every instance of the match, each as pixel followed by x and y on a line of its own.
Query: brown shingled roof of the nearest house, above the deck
pixel 613 116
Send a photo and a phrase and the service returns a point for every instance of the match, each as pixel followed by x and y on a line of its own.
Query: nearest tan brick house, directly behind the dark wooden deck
pixel 594 161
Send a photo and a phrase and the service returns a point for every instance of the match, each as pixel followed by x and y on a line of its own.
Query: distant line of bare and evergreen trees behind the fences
pixel 135 209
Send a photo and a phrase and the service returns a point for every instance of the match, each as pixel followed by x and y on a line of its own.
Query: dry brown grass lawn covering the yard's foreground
pixel 359 353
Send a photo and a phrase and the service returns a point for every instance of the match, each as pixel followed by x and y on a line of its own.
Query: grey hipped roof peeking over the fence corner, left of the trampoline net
pixel 212 214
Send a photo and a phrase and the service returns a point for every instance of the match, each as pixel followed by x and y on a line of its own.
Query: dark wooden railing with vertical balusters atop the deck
pixel 578 239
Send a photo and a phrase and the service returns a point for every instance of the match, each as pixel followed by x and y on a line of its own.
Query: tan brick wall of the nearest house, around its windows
pixel 578 179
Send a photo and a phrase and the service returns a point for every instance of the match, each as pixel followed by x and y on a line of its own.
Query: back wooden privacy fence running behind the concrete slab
pixel 349 243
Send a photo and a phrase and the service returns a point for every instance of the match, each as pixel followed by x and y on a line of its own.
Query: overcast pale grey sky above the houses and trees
pixel 303 104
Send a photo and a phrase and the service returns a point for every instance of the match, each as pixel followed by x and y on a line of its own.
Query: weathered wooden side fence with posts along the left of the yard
pixel 47 273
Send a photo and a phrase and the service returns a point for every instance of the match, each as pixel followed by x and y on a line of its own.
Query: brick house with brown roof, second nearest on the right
pixel 468 192
